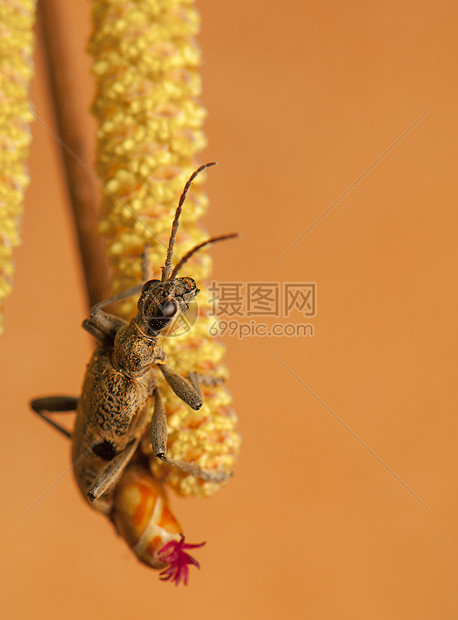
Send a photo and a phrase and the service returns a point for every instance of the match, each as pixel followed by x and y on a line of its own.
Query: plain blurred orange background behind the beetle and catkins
pixel 303 98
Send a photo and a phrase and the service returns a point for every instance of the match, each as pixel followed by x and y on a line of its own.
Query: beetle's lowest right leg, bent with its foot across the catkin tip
pixel 158 436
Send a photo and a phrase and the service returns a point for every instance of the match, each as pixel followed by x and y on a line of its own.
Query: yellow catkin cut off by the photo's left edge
pixel 16 68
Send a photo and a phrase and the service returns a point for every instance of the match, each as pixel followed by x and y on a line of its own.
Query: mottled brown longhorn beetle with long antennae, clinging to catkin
pixel 112 411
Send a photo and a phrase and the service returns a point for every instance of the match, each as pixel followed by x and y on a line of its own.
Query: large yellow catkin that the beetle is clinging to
pixel 146 63
